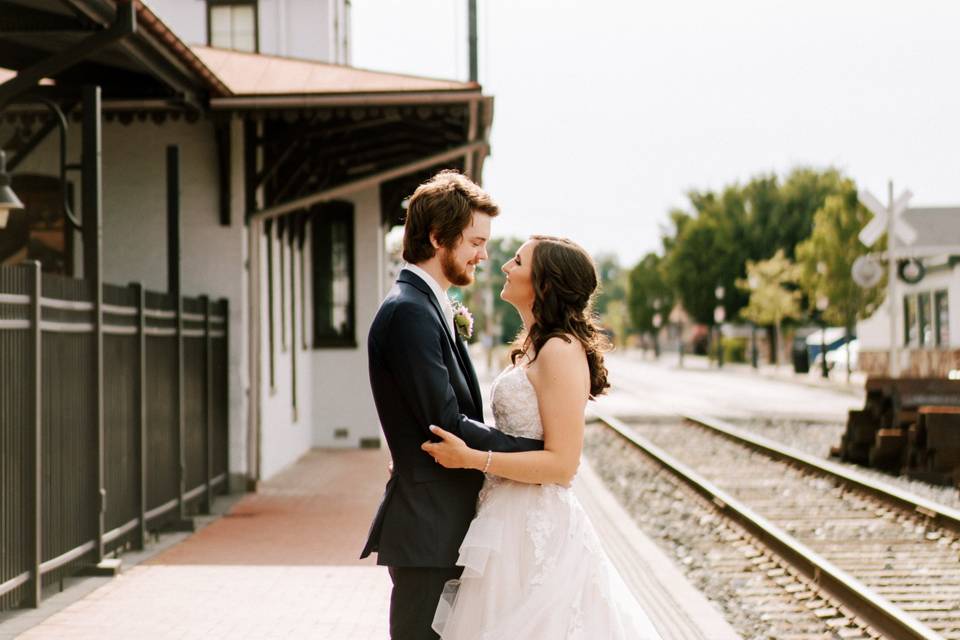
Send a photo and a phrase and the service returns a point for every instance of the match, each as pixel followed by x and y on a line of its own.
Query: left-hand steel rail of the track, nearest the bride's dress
pixel 870 607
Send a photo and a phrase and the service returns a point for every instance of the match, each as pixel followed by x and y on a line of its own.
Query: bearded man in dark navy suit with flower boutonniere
pixel 421 374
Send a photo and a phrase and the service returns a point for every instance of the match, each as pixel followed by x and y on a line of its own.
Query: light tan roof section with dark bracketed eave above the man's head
pixel 333 130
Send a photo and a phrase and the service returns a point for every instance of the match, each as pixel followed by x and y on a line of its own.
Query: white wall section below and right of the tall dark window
pixel 341 386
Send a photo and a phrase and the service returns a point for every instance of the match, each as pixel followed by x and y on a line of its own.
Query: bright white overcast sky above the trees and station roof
pixel 609 111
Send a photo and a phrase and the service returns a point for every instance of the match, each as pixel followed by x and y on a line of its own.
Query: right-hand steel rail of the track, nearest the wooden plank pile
pixel 941 515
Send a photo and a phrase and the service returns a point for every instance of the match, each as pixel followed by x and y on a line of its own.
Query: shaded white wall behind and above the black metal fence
pixel 134 225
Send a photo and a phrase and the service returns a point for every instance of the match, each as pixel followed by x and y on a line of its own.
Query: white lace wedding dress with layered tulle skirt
pixel 533 567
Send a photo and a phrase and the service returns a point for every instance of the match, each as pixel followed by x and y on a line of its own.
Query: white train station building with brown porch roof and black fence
pixel 186 291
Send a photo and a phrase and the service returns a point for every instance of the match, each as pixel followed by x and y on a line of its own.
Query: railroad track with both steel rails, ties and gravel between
pixel 890 561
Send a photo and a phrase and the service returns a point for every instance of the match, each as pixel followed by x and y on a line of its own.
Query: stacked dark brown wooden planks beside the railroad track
pixel 907 425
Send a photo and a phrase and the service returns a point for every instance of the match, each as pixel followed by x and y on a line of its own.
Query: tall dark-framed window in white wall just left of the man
pixel 333 273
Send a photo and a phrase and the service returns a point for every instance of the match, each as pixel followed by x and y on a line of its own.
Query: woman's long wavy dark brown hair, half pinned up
pixel 564 280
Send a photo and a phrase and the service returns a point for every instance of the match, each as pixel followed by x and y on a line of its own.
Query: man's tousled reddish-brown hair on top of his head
pixel 443 205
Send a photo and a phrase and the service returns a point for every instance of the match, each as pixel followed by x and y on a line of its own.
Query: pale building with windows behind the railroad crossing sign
pixel 927 312
